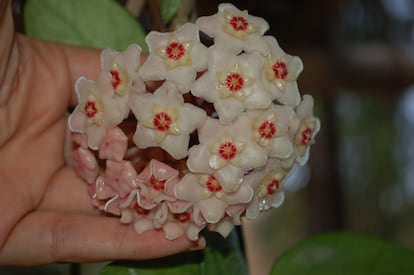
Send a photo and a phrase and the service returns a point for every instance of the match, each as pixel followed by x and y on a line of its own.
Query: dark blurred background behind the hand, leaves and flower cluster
pixel 358 58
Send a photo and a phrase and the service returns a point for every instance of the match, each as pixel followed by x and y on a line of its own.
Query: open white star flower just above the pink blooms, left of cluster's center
pixel 164 120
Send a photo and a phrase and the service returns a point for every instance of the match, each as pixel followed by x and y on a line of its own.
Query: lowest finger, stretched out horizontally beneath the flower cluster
pixel 45 237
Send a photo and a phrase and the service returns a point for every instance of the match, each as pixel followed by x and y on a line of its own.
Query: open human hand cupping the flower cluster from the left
pixel 47 215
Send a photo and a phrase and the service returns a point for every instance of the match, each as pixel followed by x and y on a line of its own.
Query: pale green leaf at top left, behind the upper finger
pixel 90 23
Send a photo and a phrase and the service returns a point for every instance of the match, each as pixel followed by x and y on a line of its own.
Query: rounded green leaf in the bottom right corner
pixel 345 253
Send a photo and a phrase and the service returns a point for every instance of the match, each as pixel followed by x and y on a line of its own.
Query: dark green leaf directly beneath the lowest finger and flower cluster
pixel 221 256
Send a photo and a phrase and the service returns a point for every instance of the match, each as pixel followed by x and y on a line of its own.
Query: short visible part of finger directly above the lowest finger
pixel 67 193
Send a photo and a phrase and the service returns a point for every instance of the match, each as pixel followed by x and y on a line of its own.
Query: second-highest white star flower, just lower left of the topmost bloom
pixel 175 57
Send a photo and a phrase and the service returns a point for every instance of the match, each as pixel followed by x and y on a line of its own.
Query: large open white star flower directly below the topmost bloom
pixel 233 84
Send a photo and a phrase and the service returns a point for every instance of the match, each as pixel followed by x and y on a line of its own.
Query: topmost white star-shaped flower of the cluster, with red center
pixel 235 30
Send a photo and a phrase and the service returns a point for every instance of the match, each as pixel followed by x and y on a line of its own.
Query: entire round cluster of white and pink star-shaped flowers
pixel 214 142
